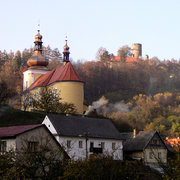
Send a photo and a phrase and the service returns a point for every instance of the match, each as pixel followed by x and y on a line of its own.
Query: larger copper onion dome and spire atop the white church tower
pixel 37 59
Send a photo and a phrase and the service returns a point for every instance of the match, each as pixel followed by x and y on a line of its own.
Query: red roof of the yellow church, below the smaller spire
pixel 61 73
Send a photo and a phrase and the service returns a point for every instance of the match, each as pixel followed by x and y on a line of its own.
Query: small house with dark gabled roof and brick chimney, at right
pixel 146 146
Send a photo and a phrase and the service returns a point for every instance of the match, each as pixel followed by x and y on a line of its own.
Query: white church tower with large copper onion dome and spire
pixel 37 64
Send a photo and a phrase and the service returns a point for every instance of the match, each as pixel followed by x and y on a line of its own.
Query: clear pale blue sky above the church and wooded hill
pixel 91 24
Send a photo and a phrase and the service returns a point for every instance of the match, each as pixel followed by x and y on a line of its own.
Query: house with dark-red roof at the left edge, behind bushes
pixel 28 137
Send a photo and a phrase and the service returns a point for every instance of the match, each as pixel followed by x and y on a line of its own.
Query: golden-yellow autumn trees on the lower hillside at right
pixel 155 112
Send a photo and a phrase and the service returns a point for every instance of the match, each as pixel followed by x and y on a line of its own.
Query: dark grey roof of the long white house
pixel 78 126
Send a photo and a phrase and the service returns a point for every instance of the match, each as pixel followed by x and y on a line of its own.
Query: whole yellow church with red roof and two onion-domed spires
pixel 63 79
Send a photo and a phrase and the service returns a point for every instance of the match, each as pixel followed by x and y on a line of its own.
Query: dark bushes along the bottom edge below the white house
pixel 106 168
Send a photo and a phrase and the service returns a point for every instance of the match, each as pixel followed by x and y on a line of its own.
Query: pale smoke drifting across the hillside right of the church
pixel 102 106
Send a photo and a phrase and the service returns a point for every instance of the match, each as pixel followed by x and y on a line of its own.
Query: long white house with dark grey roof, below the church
pixel 82 137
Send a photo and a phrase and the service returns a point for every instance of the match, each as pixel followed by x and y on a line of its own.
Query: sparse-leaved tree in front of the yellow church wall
pixel 48 101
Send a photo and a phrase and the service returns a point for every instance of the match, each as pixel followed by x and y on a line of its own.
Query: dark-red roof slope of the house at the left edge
pixel 13 131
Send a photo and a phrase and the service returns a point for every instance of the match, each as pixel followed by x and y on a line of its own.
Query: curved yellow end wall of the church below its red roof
pixel 71 92
